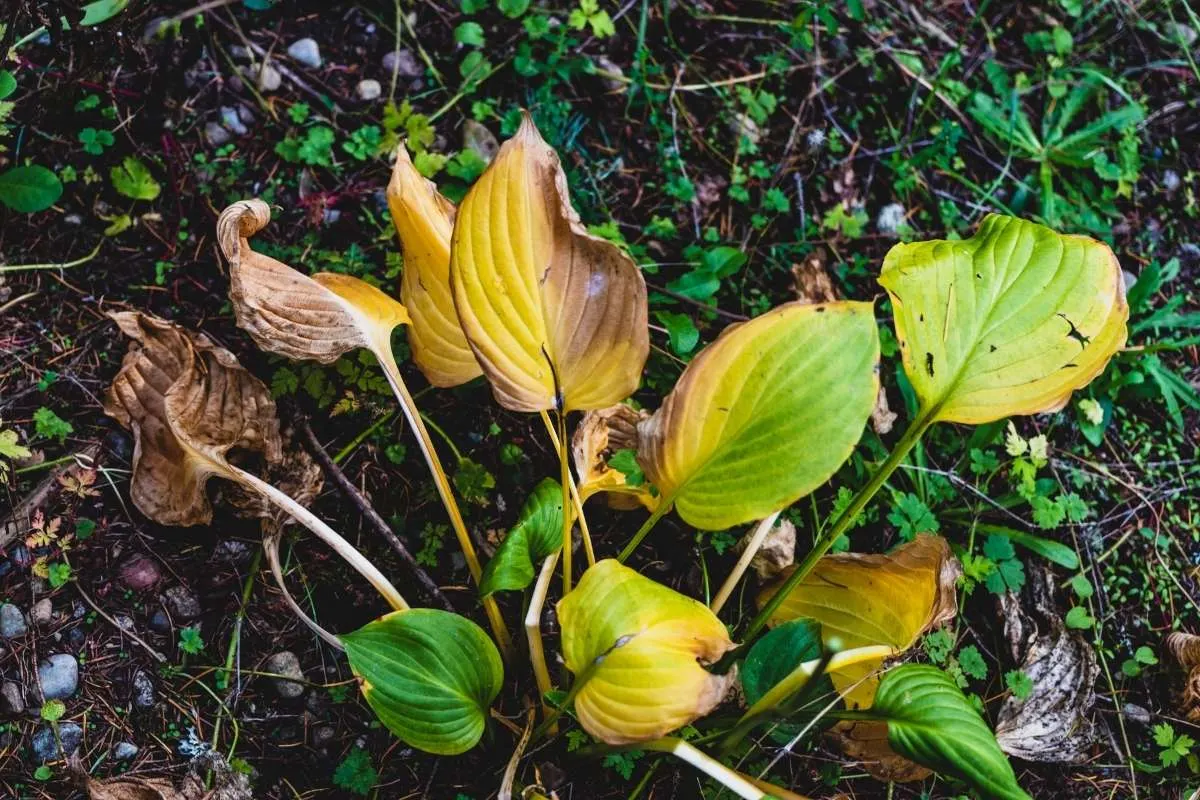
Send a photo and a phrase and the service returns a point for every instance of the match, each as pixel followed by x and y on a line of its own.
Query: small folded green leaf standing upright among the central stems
pixel 537 536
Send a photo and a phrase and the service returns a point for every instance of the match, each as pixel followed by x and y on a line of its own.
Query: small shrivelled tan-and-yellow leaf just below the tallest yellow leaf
pixel 599 435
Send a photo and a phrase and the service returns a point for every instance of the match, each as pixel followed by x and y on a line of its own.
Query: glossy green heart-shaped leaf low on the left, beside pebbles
pixel 430 676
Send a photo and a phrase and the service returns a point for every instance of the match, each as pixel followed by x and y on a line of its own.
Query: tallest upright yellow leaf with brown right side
pixel 538 297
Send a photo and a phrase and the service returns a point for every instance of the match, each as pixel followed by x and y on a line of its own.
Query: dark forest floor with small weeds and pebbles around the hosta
pixel 742 153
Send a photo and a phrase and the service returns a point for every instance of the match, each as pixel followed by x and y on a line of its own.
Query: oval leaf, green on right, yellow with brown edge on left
pixel 766 414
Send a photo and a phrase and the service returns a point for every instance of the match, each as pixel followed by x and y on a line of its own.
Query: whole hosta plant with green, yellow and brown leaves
pixel 512 287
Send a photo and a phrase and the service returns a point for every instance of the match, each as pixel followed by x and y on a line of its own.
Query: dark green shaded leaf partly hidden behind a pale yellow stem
pixel 770 661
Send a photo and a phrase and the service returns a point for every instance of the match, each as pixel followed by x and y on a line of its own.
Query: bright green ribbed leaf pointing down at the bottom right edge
pixel 932 724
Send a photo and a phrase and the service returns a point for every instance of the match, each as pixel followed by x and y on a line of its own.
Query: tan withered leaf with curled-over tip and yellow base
pixel 287 312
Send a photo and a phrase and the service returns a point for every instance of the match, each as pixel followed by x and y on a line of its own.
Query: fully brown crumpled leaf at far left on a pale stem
pixel 189 404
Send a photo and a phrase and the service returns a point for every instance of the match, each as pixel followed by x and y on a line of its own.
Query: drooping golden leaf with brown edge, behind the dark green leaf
pixel 863 600
